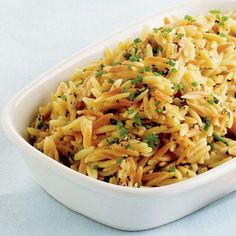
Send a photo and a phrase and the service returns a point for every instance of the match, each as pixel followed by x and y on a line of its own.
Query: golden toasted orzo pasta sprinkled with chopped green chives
pixel 156 110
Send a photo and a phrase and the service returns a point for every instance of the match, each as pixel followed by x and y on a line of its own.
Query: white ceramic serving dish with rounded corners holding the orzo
pixel 116 206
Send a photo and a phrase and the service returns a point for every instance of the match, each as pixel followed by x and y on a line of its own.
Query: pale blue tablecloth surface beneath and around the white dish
pixel 35 35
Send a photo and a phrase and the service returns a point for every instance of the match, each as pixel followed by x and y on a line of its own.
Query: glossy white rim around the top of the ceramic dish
pixel 68 173
